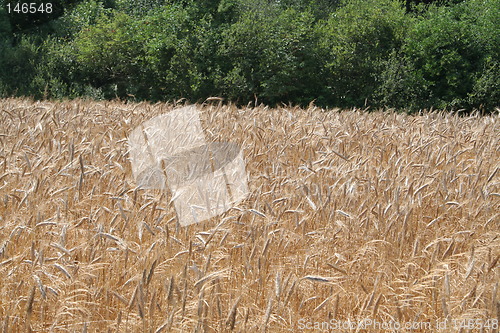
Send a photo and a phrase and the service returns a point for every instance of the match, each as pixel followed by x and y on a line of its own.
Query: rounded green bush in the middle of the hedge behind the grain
pixel 269 54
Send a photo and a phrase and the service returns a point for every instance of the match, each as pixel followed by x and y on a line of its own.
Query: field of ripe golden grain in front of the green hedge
pixel 351 215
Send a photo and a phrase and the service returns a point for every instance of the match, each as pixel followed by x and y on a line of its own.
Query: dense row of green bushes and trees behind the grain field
pixel 337 53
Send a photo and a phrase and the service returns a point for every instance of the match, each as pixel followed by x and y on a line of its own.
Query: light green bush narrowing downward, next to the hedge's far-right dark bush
pixel 356 40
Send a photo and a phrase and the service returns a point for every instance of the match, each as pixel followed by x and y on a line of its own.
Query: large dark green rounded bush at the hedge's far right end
pixel 454 54
